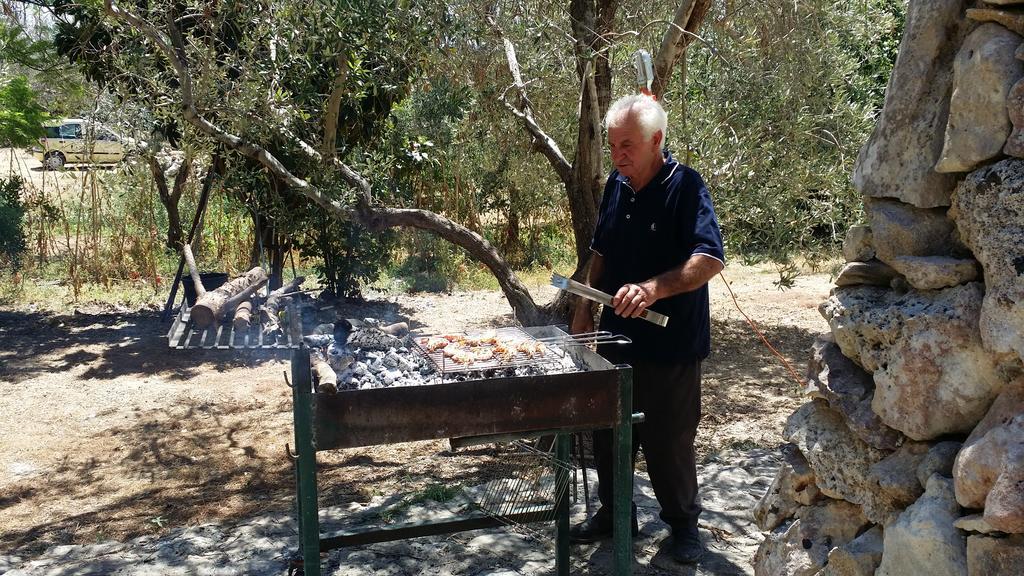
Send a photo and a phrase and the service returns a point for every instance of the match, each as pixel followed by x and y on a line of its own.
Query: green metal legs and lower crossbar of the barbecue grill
pixel 312 543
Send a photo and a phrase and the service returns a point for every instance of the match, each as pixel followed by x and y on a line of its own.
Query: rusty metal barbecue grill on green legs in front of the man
pixel 599 395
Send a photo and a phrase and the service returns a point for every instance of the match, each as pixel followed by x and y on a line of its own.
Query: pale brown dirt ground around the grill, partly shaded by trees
pixel 107 434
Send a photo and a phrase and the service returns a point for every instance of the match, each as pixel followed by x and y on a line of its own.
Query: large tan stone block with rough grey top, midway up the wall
pixel 932 376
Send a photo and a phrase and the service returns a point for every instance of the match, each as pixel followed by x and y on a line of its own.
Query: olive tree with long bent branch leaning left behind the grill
pixel 251 76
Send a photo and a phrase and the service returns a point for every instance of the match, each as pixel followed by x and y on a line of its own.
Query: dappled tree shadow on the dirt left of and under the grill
pixel 199 462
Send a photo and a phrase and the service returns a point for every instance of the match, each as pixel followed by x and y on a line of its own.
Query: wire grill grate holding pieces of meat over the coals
pixel 550 354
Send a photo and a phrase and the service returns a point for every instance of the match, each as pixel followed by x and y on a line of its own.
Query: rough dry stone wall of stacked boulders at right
pixel 909 458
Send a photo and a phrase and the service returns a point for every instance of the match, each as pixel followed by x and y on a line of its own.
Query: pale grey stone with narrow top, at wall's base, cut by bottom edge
pixel 924 541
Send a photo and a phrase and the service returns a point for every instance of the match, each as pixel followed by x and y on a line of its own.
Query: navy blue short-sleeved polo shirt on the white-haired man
pixel 642 234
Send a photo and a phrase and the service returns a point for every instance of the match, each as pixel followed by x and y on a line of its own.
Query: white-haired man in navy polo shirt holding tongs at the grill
pixel 657 245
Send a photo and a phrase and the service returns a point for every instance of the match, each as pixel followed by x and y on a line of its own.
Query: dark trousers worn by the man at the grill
pixel 669 395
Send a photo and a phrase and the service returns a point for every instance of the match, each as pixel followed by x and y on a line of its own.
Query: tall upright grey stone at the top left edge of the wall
pixel 899 159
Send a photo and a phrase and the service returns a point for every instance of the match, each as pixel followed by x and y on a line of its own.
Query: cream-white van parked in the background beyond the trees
pixel 75 141
